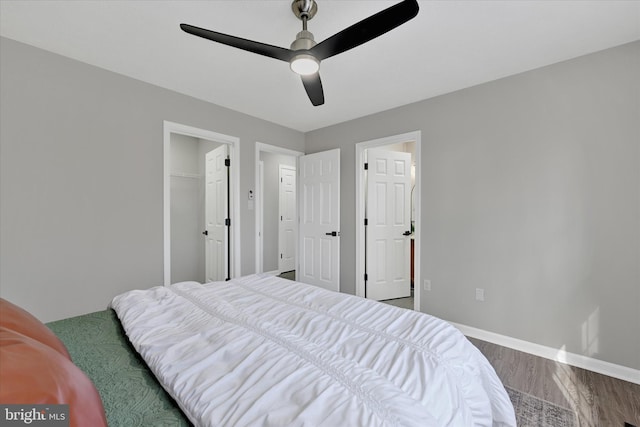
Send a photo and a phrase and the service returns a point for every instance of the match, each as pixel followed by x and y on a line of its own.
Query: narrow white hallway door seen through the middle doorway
pixel 288 226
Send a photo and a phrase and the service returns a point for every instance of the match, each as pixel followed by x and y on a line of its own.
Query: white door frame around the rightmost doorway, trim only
pixel 360 208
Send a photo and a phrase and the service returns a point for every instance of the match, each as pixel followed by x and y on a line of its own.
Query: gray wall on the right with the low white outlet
pixel 530 190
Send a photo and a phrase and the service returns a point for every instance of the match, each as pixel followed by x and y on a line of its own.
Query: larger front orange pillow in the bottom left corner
pixel 34 373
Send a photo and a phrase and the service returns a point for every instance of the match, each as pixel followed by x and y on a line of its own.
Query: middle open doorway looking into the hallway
pixel 276 210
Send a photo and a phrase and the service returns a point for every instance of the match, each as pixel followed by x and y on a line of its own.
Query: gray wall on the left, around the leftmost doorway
pixel 81 179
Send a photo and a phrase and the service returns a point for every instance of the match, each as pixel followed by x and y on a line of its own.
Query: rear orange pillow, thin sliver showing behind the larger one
pixel 19 320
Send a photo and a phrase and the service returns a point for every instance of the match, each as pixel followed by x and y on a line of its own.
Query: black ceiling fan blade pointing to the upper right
pixel 365 30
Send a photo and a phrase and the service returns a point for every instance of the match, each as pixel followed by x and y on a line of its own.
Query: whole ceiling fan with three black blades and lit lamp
pixel 305 54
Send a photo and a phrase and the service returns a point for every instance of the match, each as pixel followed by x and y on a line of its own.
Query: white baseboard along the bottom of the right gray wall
pixel 559 355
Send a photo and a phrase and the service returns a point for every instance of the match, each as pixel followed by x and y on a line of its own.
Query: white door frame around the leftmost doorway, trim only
pixel 234 199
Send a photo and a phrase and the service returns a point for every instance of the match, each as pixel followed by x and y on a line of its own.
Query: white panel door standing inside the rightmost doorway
pixel 388 237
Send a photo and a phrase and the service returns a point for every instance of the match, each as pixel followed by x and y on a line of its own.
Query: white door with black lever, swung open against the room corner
pixel 320 219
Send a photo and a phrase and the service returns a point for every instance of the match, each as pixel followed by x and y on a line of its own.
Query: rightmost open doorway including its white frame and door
pixel 388 218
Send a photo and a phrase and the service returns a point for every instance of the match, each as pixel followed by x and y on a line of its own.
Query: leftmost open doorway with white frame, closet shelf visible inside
pixel 200 205
